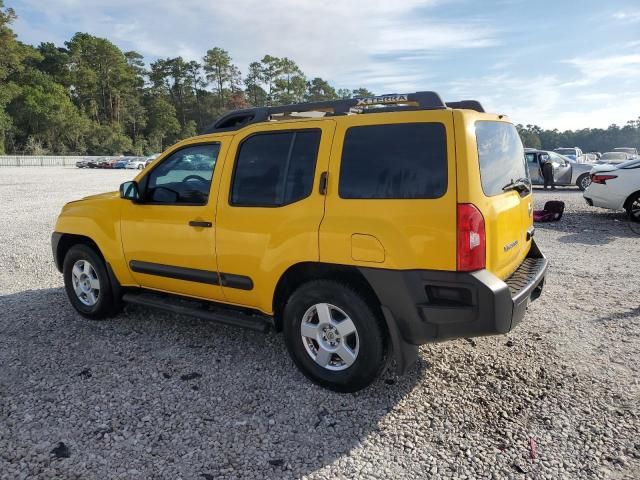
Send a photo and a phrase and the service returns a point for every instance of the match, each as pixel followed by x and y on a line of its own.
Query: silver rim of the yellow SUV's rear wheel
pixel 330 337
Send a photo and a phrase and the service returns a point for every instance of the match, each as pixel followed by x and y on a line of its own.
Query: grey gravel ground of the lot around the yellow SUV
pixel 154 395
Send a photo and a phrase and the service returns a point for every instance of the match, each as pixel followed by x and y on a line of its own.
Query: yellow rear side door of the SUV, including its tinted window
pixel 270 206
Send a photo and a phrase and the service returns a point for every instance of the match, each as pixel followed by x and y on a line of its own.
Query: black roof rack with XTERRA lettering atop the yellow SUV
pixel 383 103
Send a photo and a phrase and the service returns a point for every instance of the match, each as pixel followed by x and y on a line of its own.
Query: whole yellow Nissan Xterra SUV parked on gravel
pixel 361 228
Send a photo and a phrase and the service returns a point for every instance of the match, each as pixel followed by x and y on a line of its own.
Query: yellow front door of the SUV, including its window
pixel 168 234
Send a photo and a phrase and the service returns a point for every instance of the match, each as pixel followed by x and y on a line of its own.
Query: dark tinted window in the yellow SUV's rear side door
pixel 275 169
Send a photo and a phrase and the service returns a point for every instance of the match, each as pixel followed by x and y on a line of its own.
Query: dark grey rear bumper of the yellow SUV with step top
pixel 430 306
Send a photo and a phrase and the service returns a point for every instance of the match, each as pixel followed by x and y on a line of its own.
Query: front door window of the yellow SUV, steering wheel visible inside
pixel 184 177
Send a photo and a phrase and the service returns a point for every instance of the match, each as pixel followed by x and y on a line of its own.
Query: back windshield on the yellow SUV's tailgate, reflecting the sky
pixel 500 154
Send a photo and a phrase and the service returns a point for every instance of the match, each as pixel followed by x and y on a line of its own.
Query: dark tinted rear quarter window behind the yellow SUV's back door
pixel 394 161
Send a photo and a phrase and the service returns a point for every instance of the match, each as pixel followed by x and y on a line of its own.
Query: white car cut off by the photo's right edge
pixel 616 187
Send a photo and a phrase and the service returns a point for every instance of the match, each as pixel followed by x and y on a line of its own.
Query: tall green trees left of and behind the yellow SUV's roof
pixel 90 97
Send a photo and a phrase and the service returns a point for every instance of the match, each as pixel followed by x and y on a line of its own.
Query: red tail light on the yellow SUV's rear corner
pixel 471 254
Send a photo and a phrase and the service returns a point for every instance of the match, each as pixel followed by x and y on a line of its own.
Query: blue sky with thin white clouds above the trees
pixel 559 64
